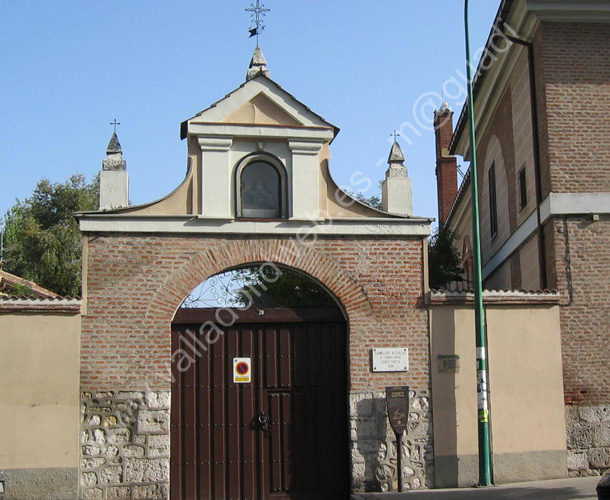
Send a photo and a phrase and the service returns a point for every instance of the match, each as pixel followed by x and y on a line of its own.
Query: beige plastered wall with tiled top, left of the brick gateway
pixel 39 397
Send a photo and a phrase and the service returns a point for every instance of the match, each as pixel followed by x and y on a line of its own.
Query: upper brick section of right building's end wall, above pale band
pixel 576 65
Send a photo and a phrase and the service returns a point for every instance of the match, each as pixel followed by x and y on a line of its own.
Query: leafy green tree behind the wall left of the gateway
pixel 42 242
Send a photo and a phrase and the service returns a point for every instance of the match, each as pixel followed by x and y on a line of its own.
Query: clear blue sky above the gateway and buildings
pixel 70 67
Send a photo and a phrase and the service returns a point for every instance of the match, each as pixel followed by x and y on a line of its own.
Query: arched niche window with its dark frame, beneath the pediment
pixel 260 189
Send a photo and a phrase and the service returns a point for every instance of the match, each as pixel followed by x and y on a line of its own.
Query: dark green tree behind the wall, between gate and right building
pixel 444 261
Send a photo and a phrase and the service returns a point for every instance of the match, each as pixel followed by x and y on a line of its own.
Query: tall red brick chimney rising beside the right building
pixel 446 165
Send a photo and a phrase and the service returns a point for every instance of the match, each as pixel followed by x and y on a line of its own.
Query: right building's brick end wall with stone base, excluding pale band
pixel 573 78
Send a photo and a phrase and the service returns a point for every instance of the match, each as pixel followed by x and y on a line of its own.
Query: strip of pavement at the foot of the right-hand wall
pixel 582 488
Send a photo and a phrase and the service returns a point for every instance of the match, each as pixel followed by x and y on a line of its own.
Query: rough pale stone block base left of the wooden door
pixel 125 445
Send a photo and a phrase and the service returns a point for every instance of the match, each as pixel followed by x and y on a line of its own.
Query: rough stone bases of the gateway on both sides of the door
pixel 125 445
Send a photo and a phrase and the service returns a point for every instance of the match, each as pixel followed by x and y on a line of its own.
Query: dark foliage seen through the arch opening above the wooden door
pixel 267 286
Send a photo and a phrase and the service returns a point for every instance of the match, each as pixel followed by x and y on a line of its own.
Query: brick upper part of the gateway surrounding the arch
pixel 135 283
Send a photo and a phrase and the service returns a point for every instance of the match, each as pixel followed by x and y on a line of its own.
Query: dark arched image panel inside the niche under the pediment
pixel 260 193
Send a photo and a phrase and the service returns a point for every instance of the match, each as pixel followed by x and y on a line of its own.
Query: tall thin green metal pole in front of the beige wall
pixel 481 341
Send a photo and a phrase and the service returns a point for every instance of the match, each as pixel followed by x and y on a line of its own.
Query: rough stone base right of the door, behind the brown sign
pixel 374 446
